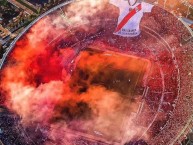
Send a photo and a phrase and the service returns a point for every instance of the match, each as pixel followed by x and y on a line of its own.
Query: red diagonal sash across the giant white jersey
pixel 128 17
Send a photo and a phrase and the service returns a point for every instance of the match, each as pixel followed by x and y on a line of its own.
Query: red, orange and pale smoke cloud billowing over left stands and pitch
pixel 46 80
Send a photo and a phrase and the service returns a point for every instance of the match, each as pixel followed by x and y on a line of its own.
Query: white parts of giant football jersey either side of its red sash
pixel 131 28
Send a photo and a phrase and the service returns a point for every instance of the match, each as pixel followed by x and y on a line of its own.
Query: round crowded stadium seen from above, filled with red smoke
pixel 68 79
